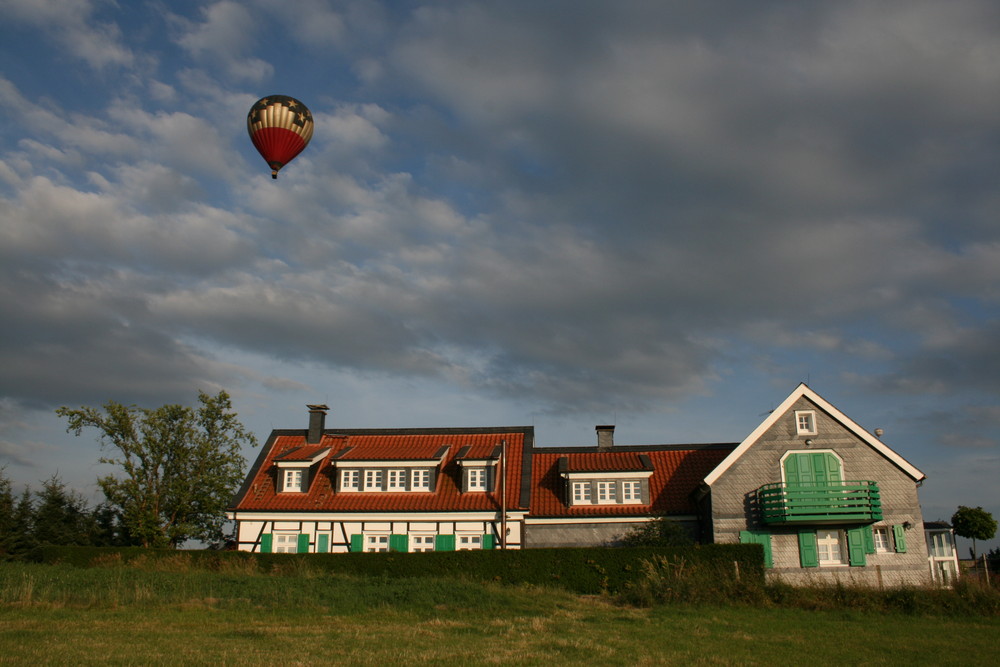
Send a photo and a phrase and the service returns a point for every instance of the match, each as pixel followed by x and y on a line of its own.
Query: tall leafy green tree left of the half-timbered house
pixel 179 466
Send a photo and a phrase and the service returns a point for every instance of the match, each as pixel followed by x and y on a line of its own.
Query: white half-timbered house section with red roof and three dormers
pixel 320 490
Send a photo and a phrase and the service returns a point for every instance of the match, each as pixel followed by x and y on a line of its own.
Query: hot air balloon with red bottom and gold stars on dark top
pixel 280 127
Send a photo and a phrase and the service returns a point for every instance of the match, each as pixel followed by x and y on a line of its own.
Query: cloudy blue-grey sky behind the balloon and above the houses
pixel 661 215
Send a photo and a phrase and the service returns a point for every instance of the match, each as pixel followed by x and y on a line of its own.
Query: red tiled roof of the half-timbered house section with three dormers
pixel 259 492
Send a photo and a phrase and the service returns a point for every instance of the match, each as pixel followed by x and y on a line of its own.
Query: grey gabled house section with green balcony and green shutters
pixel 823 496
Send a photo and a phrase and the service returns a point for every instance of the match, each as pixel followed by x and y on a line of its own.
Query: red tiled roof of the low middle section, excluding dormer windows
pixel 677 472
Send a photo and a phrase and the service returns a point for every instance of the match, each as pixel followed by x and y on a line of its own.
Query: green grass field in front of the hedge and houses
pixel 128 615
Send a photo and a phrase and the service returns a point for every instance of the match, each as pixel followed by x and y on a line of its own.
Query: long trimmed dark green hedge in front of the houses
pixel 589 570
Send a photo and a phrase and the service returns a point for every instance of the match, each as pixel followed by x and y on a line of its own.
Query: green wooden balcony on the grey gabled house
pixel 820 502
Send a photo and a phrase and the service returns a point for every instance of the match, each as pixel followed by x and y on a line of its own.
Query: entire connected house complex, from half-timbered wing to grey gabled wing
pixel 826 499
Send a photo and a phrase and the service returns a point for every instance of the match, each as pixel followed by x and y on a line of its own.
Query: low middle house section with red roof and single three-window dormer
pixel 594 495
